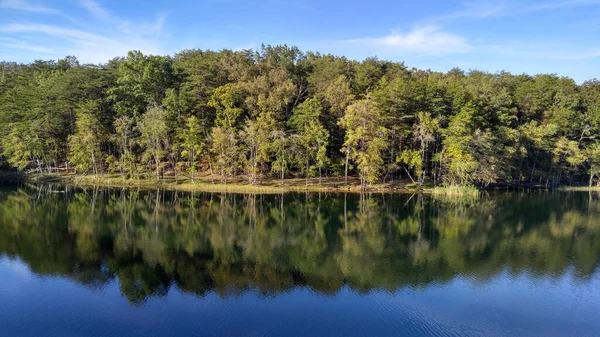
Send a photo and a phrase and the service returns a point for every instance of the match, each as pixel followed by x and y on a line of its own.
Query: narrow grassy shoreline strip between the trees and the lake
pixel 265 186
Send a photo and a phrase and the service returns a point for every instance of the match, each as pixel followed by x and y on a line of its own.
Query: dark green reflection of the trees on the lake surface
pixel 149 241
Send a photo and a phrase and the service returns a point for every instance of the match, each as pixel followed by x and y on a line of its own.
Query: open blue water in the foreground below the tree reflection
pixel 508 305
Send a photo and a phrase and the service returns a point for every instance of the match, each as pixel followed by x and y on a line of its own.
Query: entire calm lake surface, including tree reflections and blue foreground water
pixel 102 262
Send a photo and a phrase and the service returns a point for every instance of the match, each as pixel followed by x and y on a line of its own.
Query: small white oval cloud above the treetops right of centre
pixel 423 40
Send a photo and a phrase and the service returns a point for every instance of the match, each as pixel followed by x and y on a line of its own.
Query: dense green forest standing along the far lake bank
pixel 280 113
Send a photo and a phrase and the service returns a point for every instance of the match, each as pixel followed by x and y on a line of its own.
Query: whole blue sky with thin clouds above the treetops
pixel 542 36
